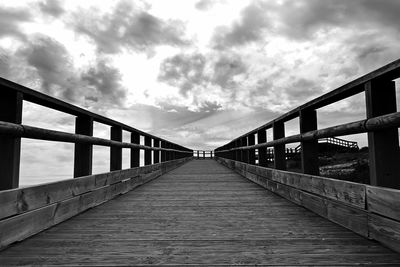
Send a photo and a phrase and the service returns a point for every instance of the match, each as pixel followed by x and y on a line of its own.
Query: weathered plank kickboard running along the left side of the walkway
pixel 33 209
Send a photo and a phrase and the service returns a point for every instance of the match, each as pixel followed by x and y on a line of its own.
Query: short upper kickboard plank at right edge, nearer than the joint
pixel 384 201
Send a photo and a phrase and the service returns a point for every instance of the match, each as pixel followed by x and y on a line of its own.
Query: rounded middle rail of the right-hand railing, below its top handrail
pixel 367 125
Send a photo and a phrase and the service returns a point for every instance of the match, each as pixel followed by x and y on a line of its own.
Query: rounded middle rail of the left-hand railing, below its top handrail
pixel 26 131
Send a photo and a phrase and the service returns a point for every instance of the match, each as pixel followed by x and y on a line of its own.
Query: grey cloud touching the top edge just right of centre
pixel 248 29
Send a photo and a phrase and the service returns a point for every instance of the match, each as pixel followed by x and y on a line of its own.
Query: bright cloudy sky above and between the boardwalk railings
pixel 195 72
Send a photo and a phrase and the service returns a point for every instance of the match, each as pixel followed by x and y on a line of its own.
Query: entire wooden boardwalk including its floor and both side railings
pixel 178 208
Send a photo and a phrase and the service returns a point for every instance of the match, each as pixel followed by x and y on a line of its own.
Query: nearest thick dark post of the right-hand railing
pixel 384 158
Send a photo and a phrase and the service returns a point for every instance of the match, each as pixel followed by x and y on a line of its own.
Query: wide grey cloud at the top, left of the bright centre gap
pixel 129 27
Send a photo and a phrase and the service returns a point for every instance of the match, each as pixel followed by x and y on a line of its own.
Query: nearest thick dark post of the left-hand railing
pixel 10 147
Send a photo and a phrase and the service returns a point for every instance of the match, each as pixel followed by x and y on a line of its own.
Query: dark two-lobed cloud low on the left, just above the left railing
pixel 53 65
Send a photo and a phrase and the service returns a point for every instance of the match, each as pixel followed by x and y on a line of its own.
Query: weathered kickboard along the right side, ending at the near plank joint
pixel 348 199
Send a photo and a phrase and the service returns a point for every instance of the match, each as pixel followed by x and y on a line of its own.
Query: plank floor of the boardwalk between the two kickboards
pixel 201 213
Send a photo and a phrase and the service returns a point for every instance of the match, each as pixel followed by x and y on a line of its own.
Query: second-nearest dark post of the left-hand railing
pixel 83 153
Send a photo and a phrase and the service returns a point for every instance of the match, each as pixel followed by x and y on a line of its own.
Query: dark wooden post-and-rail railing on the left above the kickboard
pixel 12 96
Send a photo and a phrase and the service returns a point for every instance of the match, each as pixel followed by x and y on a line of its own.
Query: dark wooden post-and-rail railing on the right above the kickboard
pixel 381 124
